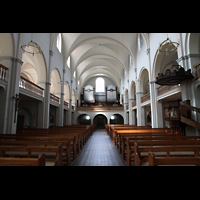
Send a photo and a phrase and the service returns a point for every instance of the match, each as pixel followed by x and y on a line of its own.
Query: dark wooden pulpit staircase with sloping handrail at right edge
pixel 189 115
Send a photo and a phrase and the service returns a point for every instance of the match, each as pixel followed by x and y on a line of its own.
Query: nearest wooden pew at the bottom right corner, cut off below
pixel 154 161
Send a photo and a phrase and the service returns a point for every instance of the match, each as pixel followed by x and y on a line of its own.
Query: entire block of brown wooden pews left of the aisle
pixel 56 146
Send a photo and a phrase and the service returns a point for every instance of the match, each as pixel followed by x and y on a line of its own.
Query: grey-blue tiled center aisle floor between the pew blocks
pixel 99 151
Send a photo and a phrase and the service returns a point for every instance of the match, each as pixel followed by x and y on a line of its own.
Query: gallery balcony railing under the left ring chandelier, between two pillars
pixel 30 86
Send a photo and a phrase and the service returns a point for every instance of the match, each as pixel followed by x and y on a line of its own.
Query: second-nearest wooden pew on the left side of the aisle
pixel 21 151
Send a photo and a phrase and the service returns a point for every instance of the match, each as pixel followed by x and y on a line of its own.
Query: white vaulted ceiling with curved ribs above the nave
pixel 100 54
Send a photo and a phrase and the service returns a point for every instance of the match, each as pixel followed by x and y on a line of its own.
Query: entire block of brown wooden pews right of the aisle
pixel 146 146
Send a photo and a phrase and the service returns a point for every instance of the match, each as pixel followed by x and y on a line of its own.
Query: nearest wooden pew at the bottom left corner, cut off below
pixel 40 161
